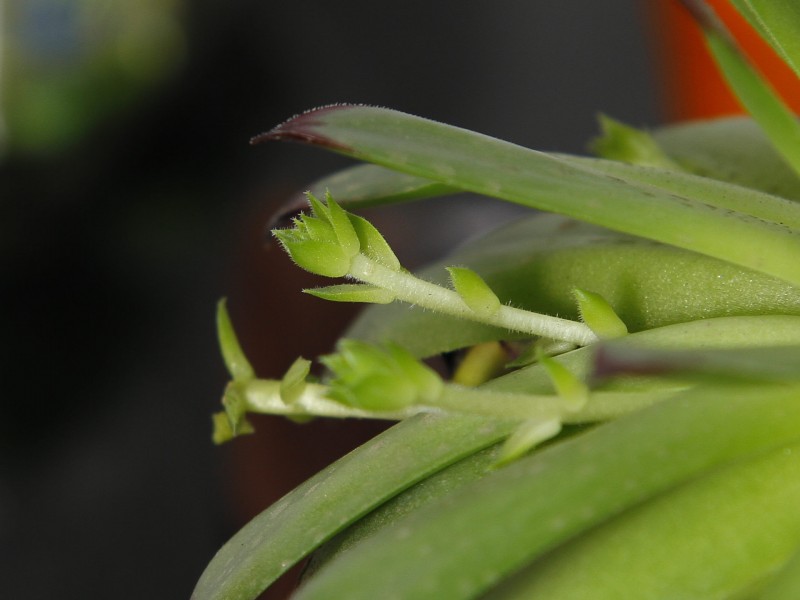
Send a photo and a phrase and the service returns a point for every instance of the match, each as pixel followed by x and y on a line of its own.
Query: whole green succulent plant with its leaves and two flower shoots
pixel 657 456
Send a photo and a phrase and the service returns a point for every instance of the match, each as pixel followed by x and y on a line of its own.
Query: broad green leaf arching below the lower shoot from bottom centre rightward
pixel 518 513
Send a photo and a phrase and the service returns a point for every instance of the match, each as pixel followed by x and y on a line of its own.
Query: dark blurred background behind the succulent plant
pixel 130 202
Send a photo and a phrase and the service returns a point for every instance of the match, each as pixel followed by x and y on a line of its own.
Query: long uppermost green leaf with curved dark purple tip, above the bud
pixel 495 168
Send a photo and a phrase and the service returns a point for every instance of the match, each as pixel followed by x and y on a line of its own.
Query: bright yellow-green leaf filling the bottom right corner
pixel 718 536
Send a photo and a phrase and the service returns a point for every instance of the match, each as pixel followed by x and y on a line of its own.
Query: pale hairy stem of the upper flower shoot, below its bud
pixel 411 289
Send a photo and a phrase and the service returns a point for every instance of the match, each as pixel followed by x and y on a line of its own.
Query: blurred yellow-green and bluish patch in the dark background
pixel 67 65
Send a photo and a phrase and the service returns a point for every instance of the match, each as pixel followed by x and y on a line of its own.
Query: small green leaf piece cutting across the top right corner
pixel 778 22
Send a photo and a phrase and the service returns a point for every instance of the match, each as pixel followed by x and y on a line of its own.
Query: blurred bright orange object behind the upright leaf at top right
pixel 693 88
